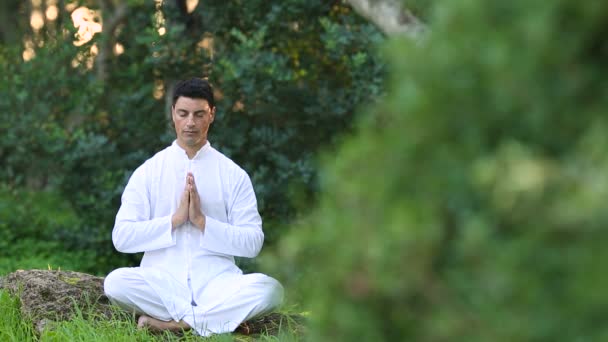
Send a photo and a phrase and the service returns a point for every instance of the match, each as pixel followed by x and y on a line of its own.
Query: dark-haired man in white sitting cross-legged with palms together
pixel 191 210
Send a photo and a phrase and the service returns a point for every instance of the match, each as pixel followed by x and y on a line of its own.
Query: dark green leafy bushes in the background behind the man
pixel 290 76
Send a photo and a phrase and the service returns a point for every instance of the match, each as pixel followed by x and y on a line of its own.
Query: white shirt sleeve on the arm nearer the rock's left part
pixel 134 231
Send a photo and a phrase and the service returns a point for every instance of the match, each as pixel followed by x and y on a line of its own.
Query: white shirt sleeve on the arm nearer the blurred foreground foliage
pixel 242 235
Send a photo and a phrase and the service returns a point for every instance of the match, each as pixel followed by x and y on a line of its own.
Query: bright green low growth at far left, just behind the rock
pixel 40 230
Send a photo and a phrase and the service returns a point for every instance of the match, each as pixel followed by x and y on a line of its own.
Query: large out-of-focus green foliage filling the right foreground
pixel 470 204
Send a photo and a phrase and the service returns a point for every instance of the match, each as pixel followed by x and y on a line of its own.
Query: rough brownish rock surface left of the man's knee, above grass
pixel 48 296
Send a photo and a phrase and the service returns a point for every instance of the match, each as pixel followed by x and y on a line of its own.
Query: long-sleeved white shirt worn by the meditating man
pixel 233 225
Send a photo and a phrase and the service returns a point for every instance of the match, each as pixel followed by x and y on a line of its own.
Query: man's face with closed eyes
pixel 192 118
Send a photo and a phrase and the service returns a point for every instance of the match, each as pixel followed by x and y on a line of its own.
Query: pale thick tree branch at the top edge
pixel 390 16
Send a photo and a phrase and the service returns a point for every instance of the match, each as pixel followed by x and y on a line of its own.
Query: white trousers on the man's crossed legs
pixel 130 289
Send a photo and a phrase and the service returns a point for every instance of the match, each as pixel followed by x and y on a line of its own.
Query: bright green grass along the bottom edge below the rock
pixel 121 328
